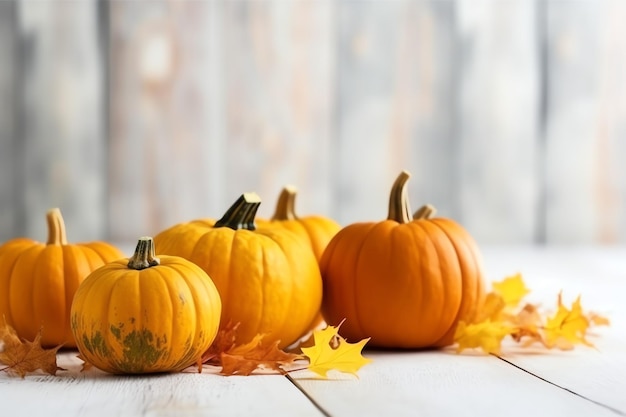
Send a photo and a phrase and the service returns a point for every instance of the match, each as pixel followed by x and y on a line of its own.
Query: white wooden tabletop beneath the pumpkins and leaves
pixel 583 382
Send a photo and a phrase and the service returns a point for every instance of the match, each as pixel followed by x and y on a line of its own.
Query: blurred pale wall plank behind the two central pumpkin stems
pixel 278 102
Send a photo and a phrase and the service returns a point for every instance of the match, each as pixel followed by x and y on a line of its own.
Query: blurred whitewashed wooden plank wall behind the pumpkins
pixel 134 115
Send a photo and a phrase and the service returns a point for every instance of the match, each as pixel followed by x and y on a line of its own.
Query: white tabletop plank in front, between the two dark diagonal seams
pixel 444 384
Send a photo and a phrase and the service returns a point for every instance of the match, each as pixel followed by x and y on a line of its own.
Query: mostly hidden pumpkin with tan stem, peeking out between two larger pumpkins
pixel 318 230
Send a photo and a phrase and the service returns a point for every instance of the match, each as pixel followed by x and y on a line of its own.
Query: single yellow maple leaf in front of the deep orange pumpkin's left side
pixel 333 352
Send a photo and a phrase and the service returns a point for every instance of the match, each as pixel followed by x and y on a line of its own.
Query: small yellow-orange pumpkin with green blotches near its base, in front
pixel 145 314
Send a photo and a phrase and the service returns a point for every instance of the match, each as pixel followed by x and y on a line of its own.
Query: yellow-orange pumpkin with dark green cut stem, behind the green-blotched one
pixel 267 276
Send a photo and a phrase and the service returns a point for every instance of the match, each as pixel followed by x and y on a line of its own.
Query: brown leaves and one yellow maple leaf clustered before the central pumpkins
pixel 329 352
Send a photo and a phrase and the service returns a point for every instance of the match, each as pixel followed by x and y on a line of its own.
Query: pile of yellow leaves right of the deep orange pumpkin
pixel 503 314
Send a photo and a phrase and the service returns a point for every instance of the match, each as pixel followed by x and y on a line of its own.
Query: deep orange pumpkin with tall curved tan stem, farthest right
pixel 405 282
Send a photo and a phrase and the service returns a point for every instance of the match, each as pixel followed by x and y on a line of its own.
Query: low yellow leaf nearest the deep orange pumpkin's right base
pixel 486 335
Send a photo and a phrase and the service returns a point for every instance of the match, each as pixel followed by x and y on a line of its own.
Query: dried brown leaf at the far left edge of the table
pixel 22 357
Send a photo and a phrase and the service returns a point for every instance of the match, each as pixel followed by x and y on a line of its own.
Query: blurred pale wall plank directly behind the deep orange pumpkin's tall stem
pixel 394 106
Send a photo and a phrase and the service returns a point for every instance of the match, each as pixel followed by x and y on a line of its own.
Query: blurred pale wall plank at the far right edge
pixel 584 172
